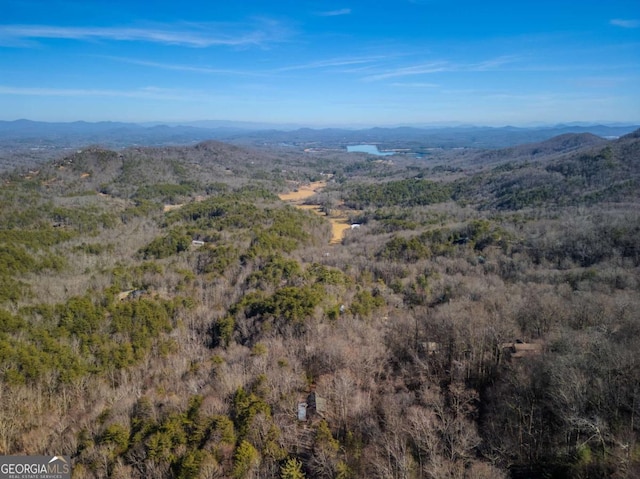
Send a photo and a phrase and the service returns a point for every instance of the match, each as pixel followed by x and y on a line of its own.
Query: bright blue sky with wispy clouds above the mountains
pixel 322 63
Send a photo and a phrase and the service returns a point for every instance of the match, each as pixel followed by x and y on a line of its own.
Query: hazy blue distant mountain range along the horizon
pixel 34 134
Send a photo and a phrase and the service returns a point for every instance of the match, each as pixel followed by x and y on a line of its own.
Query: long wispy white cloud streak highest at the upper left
pixel 189 35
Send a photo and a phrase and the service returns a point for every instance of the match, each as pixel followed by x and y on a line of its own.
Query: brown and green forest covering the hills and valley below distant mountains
pixel 164 314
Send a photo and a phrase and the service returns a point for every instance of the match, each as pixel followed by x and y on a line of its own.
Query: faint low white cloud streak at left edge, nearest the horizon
pixel 145 93
